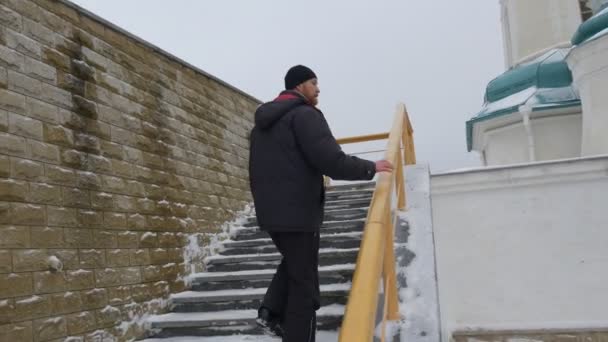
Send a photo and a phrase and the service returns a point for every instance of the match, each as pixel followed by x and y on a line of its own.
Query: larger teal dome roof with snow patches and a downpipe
pixel 542 83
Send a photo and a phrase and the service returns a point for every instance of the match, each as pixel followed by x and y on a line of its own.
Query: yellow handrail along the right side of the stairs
pixel 376 257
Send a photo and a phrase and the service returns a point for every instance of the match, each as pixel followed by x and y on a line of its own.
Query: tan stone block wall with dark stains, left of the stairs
pixel 112 154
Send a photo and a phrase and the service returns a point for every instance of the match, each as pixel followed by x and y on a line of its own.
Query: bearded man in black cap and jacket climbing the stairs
pixel 292 148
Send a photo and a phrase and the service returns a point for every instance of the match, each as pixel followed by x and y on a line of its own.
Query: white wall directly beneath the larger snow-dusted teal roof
pixel 556 135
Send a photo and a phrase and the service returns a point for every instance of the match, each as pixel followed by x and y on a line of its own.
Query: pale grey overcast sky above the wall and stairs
pixel 435 56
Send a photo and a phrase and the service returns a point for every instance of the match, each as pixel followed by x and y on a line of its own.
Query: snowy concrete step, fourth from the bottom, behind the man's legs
pixel 231 263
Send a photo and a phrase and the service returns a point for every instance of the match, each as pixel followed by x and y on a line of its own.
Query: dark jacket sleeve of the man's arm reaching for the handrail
pixel 322 151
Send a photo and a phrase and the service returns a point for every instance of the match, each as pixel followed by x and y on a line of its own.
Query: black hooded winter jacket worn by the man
pixel 291 149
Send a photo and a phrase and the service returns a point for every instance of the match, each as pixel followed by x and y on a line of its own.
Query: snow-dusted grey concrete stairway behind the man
pixel 224 300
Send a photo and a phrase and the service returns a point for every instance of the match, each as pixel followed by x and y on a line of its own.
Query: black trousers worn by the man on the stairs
pixel 293 293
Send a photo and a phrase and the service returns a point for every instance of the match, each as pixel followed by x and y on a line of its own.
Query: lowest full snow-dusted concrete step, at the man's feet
pixel 230 322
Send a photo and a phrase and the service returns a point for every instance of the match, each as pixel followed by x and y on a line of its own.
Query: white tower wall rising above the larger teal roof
pixel 530 26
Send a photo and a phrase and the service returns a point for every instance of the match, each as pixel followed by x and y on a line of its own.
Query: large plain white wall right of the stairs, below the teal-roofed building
pixel 522 247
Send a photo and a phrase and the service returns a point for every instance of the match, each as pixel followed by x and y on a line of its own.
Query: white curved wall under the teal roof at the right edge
pixel 589 65
